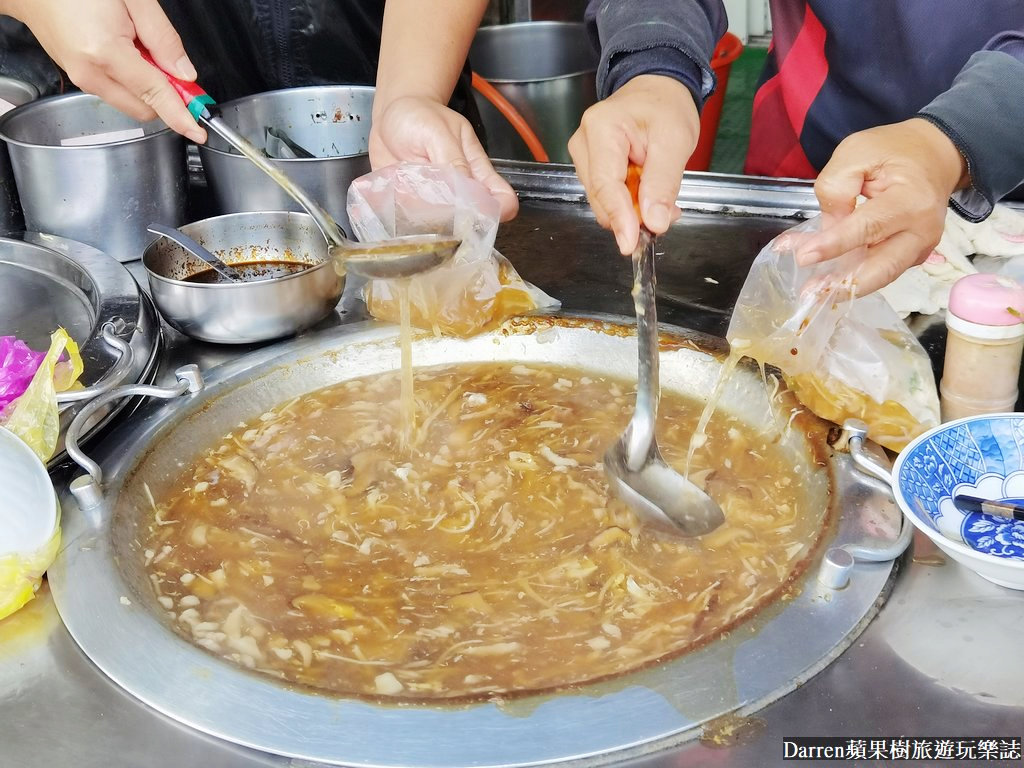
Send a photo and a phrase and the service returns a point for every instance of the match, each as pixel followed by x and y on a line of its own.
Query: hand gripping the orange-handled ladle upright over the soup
pixel 653 122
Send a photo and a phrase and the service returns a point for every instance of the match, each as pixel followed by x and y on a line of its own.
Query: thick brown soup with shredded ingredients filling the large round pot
pixel 487 559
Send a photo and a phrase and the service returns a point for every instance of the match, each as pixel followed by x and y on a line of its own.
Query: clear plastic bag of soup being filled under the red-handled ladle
pixel 479 289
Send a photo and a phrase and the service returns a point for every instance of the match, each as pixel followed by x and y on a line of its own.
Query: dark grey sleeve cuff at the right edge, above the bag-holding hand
pixel 984 114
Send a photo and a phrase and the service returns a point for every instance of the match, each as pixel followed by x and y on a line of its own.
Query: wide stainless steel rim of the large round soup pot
pixel 105 599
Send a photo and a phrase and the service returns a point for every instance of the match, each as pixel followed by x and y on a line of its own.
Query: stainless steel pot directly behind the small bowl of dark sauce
pixel 331 122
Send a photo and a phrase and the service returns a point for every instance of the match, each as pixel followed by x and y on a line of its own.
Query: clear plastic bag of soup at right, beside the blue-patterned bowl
pixel 843 357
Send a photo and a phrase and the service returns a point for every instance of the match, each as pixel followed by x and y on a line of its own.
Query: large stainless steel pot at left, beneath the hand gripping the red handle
pixel 102 195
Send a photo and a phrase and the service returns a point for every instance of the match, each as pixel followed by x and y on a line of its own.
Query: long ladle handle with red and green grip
pixel 199 103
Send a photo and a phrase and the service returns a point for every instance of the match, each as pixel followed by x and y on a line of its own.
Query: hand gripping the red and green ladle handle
pixel 94 42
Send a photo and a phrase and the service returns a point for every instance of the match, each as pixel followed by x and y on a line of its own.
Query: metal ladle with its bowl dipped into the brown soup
pixel 634 465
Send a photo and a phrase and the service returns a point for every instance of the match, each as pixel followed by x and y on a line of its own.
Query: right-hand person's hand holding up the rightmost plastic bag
pixel 908 173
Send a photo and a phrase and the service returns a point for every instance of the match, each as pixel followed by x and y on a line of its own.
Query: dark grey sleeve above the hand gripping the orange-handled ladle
pixel 675 38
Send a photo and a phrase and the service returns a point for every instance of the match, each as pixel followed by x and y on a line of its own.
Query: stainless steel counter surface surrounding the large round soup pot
pixel 943 659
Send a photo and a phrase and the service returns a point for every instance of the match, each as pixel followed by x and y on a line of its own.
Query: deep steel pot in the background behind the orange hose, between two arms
pixel 548 71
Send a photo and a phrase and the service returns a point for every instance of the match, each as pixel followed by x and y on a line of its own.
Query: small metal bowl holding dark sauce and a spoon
pixel 250 312
